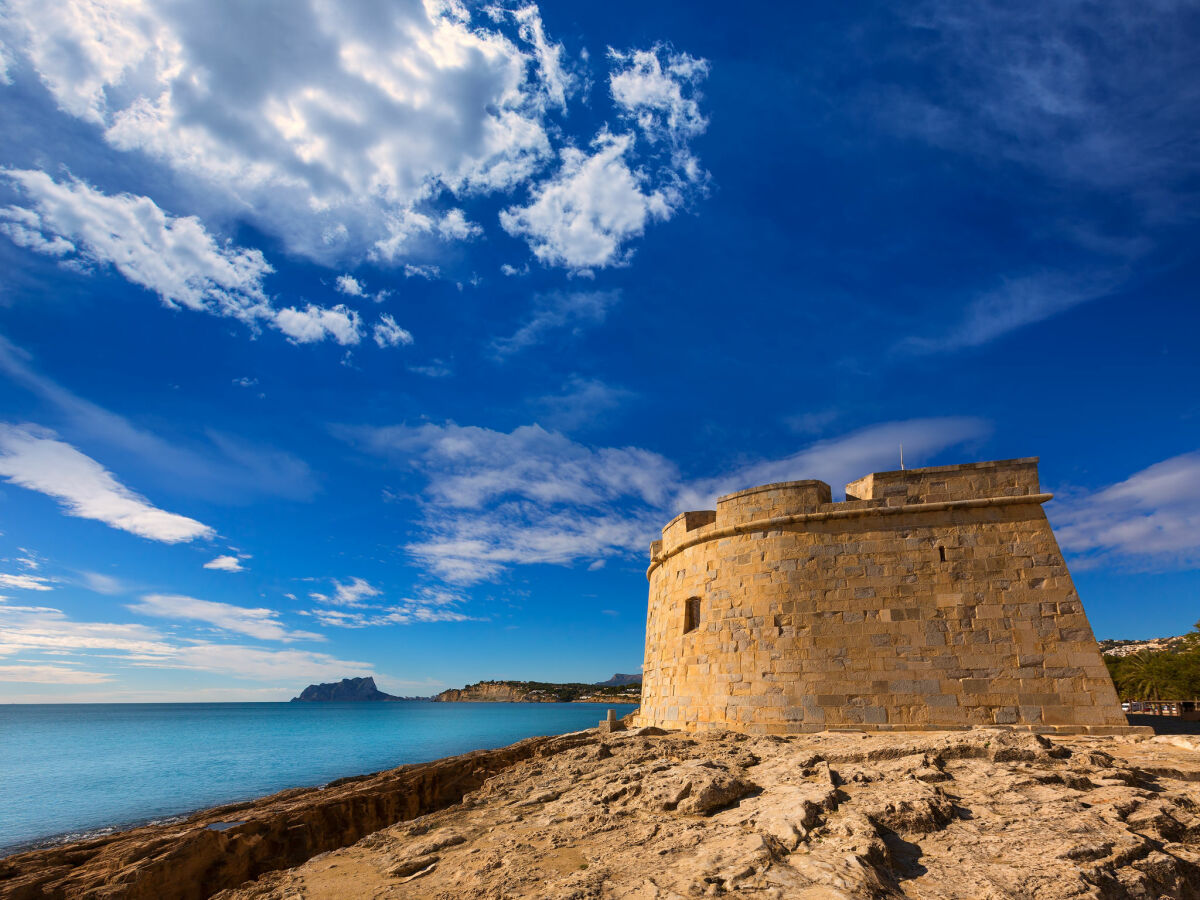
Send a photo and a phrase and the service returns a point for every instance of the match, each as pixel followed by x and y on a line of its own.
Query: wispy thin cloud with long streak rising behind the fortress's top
pixel 495 500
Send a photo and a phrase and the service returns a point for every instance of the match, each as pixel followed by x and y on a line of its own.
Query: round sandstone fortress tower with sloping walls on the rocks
pixel 931 599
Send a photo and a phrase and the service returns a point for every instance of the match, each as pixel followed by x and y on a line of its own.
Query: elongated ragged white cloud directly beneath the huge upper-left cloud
pixel 173 257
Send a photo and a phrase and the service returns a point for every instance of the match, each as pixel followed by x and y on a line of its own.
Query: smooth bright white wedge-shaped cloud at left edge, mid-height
pixel 33 458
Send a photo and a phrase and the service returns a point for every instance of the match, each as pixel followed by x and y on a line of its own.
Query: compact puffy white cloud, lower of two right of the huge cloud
pixel 592 208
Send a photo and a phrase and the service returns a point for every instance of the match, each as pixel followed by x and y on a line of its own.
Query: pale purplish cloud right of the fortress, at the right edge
pixel 1150 520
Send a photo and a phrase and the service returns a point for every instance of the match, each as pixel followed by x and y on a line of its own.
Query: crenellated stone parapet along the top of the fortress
pixel 812 500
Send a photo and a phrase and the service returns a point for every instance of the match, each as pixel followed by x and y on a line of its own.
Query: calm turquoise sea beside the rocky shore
pixel 67 771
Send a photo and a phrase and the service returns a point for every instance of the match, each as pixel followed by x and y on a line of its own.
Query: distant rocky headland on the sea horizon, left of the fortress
pixel 619 689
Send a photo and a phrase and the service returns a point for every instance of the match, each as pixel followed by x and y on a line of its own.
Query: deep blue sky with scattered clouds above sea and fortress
pixel 346 339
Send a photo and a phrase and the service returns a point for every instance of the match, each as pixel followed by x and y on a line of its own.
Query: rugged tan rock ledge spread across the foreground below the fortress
pixel 646 814
